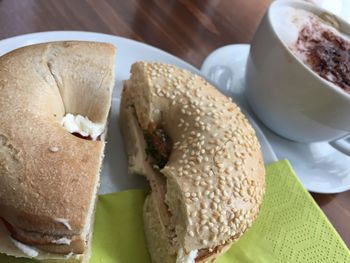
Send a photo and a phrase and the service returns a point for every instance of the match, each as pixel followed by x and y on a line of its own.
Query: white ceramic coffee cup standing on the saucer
pixel 286 95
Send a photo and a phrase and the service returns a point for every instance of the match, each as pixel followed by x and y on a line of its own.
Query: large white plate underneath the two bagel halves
pixel 114 172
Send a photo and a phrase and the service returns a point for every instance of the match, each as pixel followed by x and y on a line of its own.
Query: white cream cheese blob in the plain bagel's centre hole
pixel 82 125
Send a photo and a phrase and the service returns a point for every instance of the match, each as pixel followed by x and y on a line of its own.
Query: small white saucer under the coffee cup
pixel 320 167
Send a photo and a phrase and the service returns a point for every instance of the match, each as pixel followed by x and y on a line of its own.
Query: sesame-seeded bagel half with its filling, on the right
pixel 202 159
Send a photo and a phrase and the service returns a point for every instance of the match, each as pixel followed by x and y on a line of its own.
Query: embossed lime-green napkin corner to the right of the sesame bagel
pixel 290 228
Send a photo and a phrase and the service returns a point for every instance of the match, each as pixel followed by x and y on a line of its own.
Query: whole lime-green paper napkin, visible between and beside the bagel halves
pixel 290 228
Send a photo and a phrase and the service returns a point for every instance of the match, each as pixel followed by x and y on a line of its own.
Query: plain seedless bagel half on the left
pixel 48 176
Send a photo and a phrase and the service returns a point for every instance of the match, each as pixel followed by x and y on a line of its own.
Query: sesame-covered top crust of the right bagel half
pixel 215 173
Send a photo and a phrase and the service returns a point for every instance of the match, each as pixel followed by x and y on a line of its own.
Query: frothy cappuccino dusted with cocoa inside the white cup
pixel 317 43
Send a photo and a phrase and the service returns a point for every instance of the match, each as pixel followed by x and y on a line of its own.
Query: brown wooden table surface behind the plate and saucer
pixel 187 29
